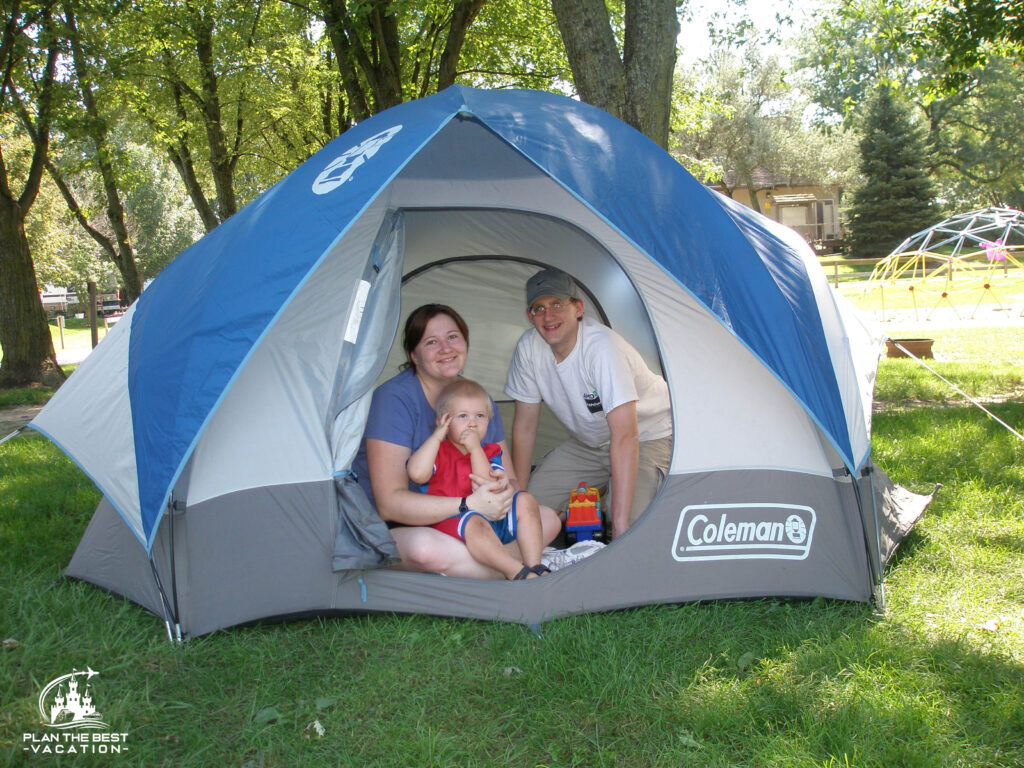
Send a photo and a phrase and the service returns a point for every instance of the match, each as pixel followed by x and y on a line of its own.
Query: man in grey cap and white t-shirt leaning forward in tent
pixel 616 409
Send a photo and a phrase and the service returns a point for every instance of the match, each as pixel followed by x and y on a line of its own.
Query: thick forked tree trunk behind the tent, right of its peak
pixel 635 86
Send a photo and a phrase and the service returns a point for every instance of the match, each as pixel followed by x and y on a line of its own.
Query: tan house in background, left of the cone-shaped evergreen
pixel 810 209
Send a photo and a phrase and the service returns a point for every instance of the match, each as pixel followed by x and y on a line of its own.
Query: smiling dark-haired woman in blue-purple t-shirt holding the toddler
pixel 402 417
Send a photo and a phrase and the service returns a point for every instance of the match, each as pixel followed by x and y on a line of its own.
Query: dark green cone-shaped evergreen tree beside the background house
pixel 899 197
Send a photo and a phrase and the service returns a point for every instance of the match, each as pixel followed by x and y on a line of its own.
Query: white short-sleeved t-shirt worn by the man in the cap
pixel 603 372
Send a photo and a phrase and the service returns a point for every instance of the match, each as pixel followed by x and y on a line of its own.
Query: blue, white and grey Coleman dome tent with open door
pixel 221 416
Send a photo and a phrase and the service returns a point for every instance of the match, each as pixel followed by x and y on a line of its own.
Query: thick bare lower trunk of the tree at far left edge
pixel 25 335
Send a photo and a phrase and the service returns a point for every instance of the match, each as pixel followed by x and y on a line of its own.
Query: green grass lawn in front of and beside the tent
pixel 937 680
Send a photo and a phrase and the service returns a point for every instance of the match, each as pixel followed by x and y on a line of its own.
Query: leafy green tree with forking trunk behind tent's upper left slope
pixel 230 92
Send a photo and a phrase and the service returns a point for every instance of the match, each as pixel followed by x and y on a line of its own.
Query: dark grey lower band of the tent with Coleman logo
pixel 267 553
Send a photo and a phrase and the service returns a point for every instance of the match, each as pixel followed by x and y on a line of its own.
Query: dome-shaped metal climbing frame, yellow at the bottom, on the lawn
pixel 964 255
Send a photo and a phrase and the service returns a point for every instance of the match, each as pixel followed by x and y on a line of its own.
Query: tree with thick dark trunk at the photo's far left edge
pixel 29 51
